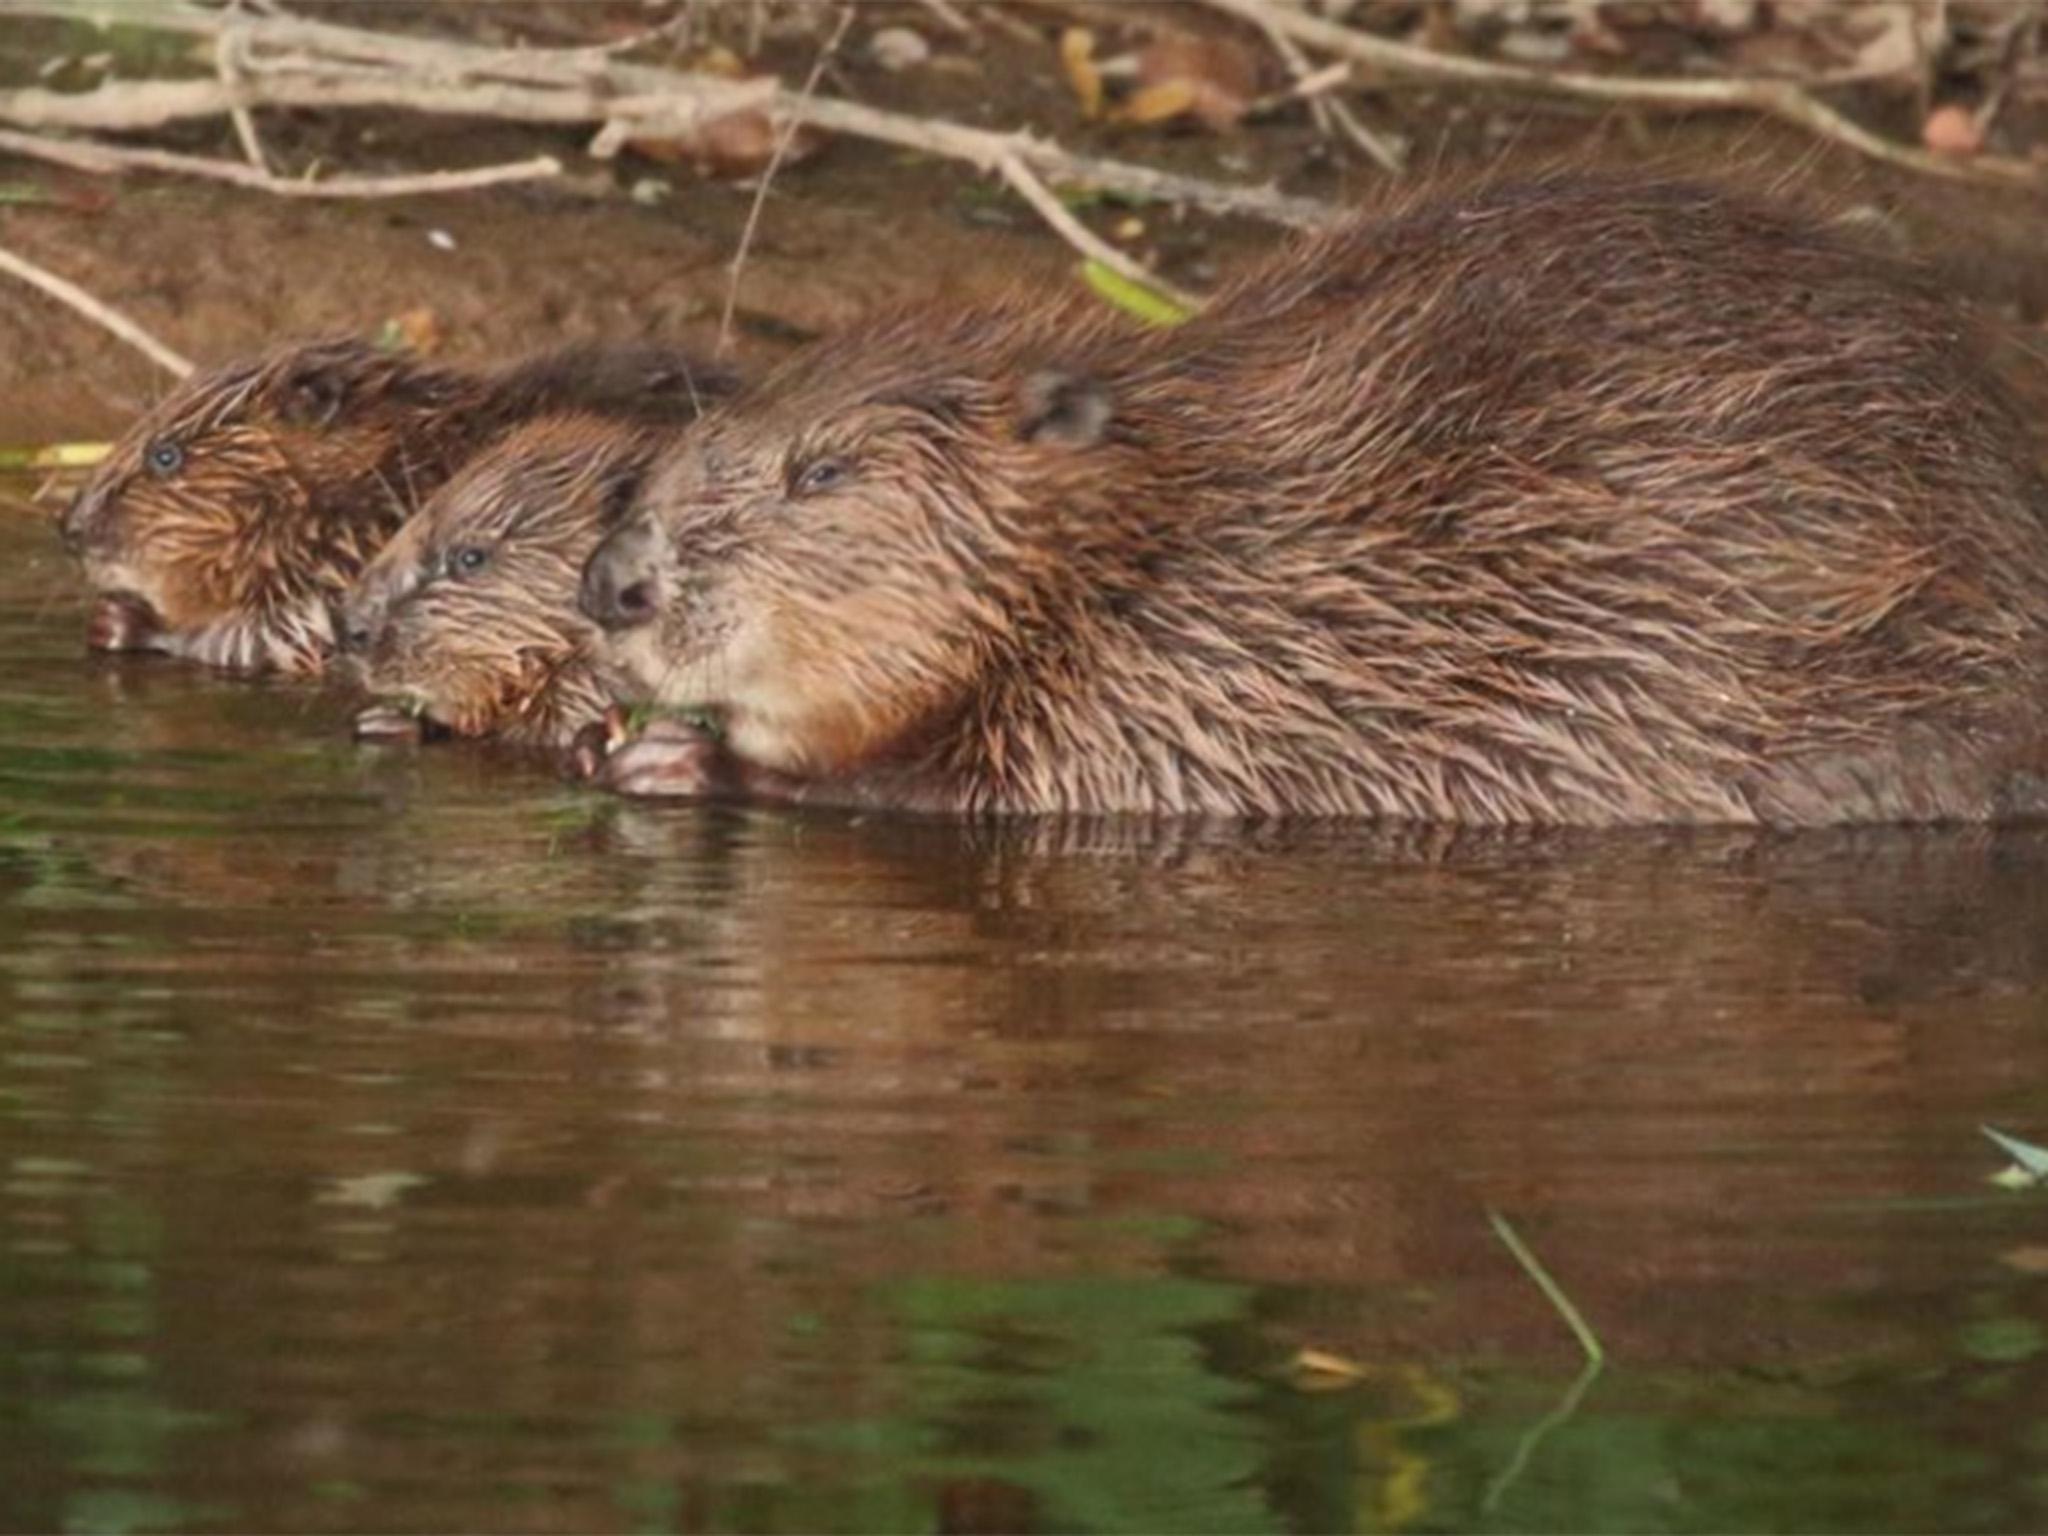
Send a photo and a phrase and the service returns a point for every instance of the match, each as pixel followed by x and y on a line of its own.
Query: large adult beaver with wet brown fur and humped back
pixel 1576 501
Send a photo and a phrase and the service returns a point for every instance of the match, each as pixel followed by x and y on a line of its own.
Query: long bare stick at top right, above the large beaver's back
pixel 1770 97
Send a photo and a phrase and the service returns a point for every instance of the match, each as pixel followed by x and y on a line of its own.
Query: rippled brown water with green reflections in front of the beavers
pixel 409 1142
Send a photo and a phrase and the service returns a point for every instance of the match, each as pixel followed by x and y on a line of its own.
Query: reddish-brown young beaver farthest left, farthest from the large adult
pixel 230 519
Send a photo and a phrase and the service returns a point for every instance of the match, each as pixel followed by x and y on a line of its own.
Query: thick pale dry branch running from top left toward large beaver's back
pixel 564 87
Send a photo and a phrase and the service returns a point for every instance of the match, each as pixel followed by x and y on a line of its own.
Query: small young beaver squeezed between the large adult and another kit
pixel 470 613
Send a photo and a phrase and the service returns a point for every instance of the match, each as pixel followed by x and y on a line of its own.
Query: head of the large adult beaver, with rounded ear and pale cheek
pixel 833 562
